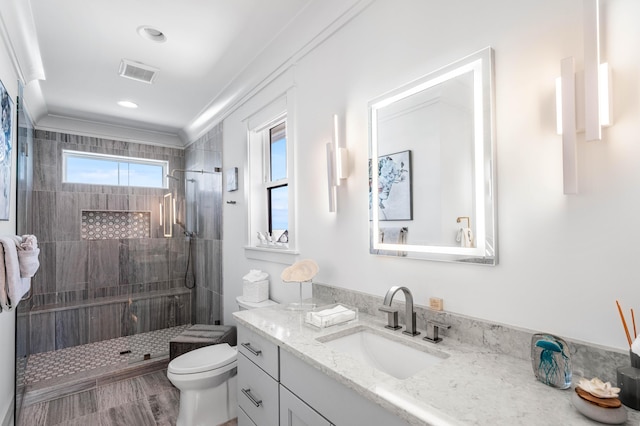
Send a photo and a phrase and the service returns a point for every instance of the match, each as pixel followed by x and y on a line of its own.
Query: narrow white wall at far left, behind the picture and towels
pixel 7 319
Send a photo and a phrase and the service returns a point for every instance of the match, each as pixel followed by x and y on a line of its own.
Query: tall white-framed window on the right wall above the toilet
pixel 271 178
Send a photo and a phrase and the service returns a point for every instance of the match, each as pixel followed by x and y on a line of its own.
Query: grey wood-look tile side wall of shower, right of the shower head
pixel 206 153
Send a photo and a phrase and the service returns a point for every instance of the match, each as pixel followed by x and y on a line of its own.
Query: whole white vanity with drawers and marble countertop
pixel 293 374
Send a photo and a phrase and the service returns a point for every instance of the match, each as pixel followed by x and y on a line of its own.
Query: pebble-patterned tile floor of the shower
pixel 65 362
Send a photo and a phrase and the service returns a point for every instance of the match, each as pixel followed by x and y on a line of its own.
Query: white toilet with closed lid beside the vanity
pixel 207 380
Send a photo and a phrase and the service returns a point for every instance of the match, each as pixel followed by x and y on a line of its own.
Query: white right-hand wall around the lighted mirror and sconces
pixel 564 260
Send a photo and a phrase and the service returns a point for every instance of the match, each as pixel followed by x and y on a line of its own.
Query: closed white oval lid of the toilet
pixel 204 359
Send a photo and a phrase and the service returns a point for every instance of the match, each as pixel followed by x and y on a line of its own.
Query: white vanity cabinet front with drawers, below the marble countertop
pixel 269 377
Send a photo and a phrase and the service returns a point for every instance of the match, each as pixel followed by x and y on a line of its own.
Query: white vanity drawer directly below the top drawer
pixel 257 393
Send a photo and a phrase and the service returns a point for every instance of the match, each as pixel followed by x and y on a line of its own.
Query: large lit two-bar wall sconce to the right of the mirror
pixel 597 97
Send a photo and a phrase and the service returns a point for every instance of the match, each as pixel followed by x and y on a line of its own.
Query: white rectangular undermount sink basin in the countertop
pixel 383 353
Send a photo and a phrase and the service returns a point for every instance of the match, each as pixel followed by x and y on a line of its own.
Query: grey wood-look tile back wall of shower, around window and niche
pixel 86 291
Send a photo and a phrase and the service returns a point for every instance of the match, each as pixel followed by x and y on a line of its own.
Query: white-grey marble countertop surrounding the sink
pixel 472 386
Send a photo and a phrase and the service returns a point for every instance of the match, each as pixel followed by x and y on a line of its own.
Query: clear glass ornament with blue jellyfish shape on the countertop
pixel 551 360
